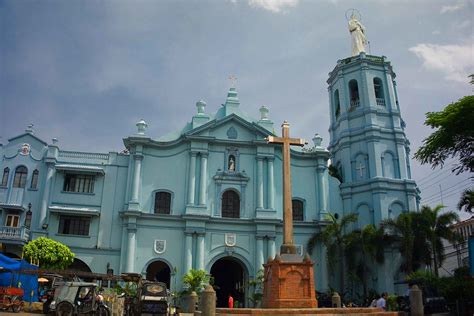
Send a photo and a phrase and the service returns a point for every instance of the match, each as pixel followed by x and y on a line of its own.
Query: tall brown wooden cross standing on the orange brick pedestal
pixel 288 245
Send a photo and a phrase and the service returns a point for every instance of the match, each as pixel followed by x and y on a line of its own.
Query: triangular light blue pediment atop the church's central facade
pixel 233 128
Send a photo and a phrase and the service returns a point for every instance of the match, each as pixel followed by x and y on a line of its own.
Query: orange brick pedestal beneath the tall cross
pixel 289 282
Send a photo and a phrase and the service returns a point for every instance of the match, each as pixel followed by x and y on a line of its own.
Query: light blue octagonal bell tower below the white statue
pixel 368 144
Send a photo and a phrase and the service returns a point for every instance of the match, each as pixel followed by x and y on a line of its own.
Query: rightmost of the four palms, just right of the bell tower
pixel 437 227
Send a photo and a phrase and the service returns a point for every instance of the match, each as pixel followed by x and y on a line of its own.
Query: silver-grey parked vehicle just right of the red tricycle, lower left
pixel 78 298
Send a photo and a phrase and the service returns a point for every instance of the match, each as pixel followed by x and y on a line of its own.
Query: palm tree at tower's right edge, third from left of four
pixel 401 229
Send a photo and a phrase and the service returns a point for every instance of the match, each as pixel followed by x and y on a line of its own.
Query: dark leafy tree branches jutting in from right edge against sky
pixel 454 136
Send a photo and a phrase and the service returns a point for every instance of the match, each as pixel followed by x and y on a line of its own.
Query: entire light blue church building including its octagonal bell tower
pixel 210 195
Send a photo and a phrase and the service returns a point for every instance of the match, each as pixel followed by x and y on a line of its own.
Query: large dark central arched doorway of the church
pixel 230 277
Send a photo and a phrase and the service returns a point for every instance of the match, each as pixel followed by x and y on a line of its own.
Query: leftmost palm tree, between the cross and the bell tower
pixel 333 237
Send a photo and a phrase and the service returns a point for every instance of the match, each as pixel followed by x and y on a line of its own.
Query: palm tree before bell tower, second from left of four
pixel 366 248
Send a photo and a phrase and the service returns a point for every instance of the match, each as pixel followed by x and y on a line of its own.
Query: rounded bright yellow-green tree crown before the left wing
pixel 49 253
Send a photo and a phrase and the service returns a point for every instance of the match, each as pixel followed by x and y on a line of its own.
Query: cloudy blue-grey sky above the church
pixel 87 71
